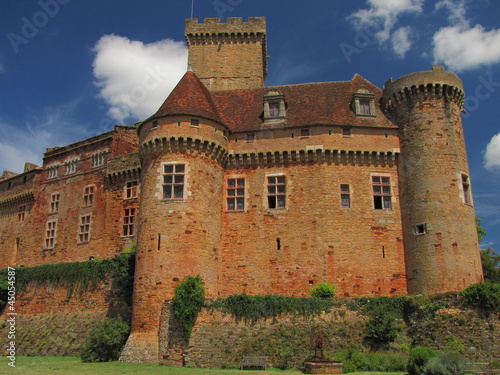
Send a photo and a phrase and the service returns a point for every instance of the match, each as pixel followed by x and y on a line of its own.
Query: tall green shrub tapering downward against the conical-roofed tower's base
pixel 187 302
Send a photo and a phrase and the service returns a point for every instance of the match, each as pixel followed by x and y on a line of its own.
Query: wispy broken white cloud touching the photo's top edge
pixel 382 17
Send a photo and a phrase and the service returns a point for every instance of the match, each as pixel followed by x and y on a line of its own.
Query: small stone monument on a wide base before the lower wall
pixel 318 363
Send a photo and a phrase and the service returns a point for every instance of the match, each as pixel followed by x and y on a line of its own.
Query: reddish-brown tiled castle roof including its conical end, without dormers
pixel 308 104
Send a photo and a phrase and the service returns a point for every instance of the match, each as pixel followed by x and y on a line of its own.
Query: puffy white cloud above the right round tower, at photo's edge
pixel 463 49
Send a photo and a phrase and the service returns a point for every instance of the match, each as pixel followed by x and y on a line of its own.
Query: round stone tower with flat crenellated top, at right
pixel 440 236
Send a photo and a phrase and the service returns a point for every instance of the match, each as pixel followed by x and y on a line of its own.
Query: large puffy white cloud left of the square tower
pixel 135 78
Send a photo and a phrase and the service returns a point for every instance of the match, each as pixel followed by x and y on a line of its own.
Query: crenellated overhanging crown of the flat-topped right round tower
pixel 435 83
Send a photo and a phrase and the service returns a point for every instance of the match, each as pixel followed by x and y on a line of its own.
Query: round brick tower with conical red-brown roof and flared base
pixel 182 148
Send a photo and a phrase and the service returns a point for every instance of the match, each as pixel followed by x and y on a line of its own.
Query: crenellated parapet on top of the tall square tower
pixel 233 25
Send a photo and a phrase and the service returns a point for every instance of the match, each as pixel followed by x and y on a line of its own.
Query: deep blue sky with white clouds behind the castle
pixel 71 69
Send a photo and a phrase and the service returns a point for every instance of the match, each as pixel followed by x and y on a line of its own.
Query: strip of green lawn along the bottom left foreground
pixel 74 366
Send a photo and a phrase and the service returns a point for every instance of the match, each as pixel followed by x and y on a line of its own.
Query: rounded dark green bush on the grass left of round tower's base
pixel 105 342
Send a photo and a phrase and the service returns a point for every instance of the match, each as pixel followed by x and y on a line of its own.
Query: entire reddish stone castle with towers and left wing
pixel 260 189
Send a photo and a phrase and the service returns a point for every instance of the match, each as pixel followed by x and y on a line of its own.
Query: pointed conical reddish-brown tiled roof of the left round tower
pixel 189 97
